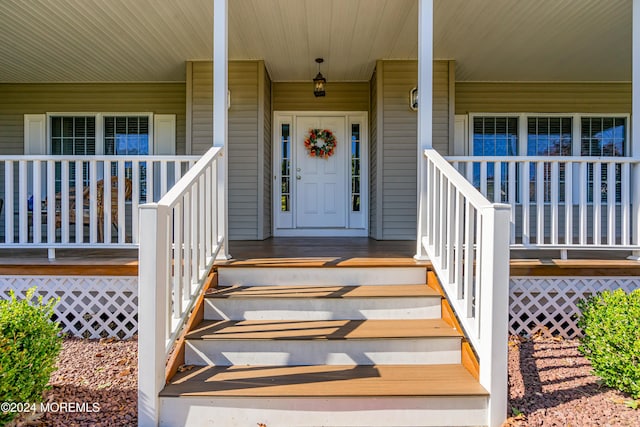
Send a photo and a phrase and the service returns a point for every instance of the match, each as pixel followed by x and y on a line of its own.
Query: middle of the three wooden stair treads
pixel 321 329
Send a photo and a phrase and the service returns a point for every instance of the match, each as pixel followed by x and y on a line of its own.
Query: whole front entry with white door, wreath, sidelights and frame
pixel 318 193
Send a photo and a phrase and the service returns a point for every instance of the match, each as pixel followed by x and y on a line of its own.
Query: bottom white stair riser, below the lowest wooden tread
pixel 315 412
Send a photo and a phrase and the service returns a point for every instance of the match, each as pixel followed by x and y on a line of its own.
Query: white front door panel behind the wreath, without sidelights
pixel 321 186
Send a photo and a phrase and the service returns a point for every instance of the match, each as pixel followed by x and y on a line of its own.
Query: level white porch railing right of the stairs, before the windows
pixel 561 202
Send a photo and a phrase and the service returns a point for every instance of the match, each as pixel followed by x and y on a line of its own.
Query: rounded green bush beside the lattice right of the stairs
pixel 611 342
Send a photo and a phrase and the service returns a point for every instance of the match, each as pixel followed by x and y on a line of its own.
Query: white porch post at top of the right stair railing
pixel 425 110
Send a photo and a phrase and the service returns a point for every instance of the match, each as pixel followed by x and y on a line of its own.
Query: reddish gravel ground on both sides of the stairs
pixel 549 383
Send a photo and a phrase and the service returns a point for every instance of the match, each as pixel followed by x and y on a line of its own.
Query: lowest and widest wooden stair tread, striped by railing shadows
pixel 324 381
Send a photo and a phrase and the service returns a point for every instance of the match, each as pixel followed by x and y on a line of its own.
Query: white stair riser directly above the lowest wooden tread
pixel 413 351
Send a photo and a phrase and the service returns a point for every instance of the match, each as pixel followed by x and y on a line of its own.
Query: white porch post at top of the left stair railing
pixel 220 123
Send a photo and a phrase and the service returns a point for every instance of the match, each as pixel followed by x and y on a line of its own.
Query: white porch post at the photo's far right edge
pixel 635 126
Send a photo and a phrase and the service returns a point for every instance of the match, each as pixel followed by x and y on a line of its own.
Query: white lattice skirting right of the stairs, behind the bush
pixel 549 303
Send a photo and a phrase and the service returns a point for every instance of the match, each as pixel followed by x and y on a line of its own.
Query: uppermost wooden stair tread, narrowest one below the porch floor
pixel 377 291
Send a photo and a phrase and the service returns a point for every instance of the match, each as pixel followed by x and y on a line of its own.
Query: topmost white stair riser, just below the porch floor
pixel 252 276
